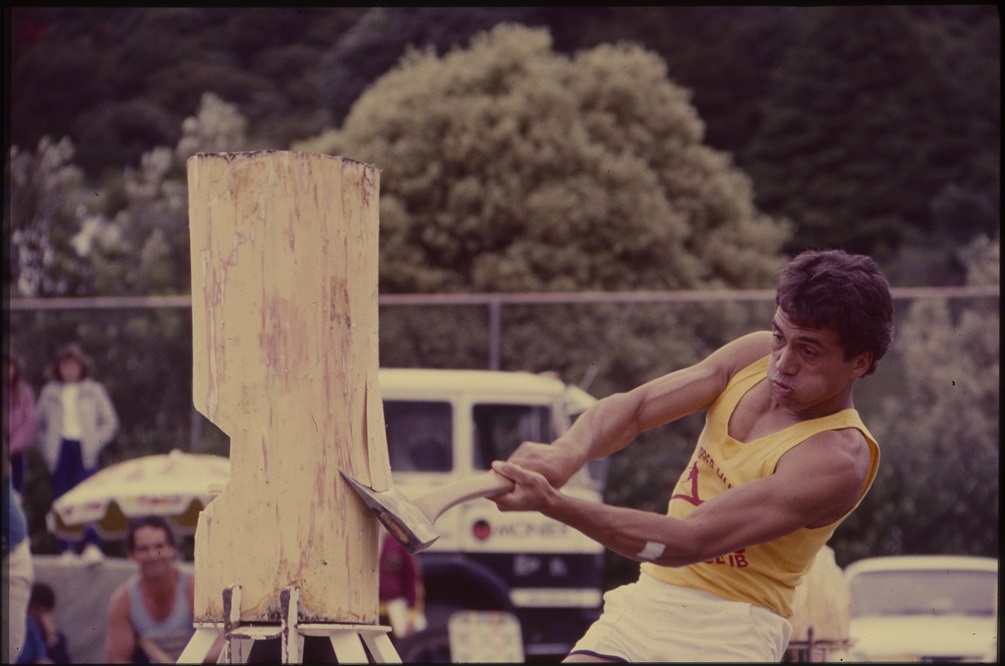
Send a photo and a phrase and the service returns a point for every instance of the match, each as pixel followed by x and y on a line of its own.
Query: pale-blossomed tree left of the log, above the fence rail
pixel 128 238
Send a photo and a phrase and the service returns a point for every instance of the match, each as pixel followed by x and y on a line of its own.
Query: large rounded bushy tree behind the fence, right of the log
pixel 507 167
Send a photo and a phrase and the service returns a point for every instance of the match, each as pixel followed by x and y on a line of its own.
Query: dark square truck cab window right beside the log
pixel 420 435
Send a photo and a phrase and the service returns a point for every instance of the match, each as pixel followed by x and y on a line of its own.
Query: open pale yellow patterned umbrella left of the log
pixel 177 486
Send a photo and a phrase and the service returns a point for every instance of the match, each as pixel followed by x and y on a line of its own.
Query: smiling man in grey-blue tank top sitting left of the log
pixel 151 615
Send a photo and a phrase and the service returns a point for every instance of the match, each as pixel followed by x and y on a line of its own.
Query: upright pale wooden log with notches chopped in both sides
pixel 285 250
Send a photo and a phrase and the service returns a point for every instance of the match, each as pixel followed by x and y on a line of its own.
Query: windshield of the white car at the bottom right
pixel 927 592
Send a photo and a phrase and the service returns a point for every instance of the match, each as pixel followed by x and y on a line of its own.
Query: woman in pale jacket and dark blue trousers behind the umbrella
pixel 77 420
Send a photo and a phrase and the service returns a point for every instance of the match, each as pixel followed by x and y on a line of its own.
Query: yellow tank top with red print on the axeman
pixel 767 574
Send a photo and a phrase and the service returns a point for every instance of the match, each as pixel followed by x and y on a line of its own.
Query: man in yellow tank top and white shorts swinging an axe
pixel 782 461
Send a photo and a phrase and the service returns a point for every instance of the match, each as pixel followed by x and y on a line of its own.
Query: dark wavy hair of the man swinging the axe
pixel 847 293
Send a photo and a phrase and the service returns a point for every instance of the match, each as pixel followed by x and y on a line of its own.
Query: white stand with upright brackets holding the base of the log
pixel 353 644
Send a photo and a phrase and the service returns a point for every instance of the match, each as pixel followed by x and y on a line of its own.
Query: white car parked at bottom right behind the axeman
pixel 924 609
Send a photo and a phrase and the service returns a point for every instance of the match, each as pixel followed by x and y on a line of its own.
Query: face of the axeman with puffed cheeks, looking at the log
pixel 808 371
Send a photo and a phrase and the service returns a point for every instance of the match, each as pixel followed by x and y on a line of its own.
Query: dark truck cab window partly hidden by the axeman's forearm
pixel 500 429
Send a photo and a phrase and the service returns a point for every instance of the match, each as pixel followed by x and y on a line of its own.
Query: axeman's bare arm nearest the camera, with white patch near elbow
pixel 815 485
